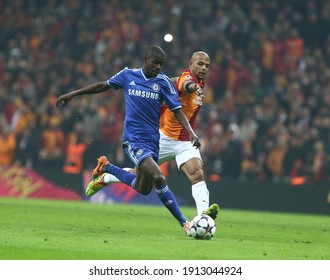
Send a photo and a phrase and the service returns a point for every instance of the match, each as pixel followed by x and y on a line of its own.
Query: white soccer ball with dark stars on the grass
pixel 202 227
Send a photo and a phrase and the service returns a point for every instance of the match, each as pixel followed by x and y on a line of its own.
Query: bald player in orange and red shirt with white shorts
pixel 174 141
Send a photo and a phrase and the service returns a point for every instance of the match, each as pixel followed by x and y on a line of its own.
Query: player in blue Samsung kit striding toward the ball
pixel 145 90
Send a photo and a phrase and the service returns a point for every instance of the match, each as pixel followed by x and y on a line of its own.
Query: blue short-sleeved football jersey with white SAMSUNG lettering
pixel 143 98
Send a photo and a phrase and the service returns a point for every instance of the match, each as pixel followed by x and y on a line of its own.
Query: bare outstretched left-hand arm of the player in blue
pixel 91 89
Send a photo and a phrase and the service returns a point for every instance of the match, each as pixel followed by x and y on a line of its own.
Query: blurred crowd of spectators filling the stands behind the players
pixel 266 113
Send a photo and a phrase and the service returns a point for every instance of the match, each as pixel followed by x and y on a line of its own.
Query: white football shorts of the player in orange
pixel 181 151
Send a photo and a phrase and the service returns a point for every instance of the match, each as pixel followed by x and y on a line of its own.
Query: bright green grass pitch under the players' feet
pixel 66 230
